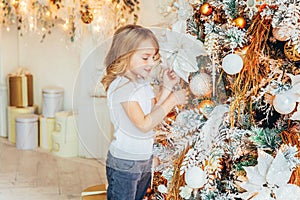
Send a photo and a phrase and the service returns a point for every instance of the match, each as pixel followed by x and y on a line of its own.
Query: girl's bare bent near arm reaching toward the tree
pixel 147 122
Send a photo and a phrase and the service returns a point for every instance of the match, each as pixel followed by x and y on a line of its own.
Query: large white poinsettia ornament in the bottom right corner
pixel 268 180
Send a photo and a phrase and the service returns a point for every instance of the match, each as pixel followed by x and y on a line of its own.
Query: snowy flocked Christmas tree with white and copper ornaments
pixel 238 138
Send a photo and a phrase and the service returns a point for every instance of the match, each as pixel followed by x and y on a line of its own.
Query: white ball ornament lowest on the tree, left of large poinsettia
pixel 195 177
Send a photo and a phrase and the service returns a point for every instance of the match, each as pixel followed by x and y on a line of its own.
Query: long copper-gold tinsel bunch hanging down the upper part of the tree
pixel 248 80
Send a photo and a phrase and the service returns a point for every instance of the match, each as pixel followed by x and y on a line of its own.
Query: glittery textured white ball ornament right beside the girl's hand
pixel 200 84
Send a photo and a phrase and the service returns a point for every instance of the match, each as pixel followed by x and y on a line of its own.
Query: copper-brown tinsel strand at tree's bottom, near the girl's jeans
pixel 177 179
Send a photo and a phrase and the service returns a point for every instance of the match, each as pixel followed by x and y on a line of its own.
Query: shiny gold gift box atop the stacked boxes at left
pixel 20 90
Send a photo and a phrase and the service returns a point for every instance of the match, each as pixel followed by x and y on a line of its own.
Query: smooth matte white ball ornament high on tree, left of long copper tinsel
pixel 232 64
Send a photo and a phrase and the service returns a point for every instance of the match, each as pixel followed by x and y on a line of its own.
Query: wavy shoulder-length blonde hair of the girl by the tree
pixel 125 42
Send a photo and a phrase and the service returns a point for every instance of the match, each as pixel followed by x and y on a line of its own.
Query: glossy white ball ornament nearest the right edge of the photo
pixel 284 103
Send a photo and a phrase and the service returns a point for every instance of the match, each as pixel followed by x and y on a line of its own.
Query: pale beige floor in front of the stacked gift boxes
pixel 38 175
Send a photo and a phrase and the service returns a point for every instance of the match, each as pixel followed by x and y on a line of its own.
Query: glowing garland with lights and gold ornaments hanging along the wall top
pixel 42 15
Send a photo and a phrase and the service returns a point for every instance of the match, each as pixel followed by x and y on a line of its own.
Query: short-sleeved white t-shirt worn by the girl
pixel 129 142
